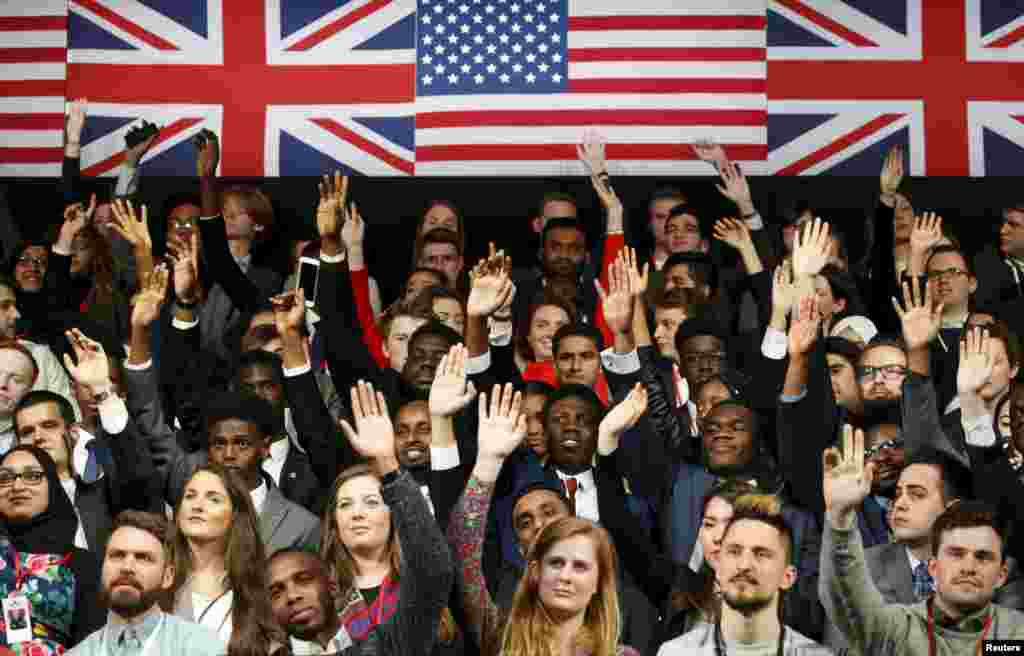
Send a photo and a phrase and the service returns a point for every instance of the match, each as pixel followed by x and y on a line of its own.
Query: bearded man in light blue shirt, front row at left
pixel 138 574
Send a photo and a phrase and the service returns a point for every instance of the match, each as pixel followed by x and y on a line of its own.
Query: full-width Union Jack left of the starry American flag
pixel 292 89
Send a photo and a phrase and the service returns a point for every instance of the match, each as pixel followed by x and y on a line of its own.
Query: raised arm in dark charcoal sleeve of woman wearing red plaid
pixel 428 570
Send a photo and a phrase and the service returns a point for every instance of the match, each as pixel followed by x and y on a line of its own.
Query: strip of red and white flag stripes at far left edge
pixel 33 55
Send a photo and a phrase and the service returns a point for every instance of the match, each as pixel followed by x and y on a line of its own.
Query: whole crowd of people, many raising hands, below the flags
pixel 742 443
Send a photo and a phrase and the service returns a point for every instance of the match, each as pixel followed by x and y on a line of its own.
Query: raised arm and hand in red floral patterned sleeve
pixel 502 428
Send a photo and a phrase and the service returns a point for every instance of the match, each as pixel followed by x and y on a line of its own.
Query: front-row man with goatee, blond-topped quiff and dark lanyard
pixel 756 572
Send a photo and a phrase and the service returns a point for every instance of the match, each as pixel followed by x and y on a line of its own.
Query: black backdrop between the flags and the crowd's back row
pixel 498 209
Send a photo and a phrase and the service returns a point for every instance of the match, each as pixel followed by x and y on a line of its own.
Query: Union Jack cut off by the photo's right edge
pixel 849 80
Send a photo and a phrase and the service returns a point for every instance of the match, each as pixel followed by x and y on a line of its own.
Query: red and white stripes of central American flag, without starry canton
pixel 650 75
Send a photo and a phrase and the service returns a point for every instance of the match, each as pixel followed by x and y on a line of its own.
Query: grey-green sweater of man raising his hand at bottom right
pixel 872 627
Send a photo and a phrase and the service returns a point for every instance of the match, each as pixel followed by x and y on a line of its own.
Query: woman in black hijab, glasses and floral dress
pixel 39 562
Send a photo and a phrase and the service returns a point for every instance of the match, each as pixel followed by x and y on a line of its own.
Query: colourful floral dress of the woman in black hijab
pixel 50 585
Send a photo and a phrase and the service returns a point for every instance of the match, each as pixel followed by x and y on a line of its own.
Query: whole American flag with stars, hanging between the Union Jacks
pixel 506 88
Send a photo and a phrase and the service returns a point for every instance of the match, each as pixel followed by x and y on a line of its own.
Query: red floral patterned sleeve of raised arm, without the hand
pixel 467 528
